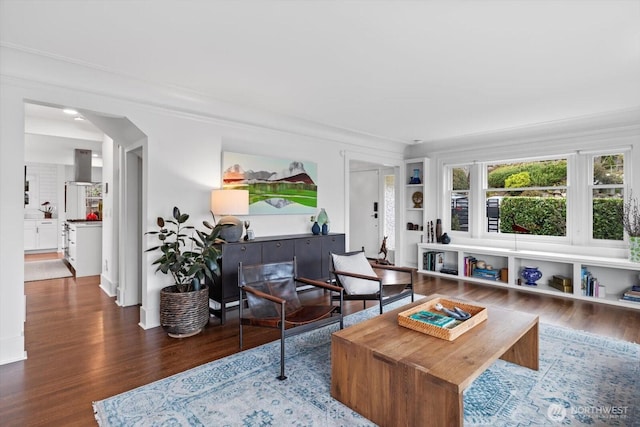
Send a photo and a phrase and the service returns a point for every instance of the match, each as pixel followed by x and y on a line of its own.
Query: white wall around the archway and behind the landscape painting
pixel 186 136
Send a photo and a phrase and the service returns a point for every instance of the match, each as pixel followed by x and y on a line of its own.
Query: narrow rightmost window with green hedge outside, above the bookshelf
pixel 607 196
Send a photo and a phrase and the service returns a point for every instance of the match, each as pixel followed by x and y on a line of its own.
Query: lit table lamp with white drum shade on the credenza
pixel 229 203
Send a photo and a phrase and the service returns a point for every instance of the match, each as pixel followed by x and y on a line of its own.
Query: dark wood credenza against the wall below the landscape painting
pixel 311 252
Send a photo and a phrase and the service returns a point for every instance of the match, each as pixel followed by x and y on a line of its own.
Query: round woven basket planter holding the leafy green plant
pixel 183 314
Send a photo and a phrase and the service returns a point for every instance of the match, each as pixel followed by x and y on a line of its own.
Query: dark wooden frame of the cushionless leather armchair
pixel 290 325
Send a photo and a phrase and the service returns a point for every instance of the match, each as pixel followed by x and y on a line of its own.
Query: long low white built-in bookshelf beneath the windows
pixel 598 279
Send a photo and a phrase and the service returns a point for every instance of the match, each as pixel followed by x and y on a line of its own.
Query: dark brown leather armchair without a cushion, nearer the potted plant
pixel 270 292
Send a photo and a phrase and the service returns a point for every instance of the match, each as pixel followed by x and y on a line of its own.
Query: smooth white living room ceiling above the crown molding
pixel 404 70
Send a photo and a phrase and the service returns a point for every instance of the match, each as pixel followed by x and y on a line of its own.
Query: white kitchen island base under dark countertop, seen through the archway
pixel 84 248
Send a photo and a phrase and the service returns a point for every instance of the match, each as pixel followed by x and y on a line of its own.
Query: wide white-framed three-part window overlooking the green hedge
pixel 571 198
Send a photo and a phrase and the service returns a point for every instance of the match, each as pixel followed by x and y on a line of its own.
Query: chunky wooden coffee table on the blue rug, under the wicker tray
pixel 395 376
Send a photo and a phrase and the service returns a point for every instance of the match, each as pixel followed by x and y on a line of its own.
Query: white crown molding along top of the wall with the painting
pixel 30 68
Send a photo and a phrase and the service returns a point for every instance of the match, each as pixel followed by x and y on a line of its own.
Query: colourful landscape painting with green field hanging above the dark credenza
pixel 276 186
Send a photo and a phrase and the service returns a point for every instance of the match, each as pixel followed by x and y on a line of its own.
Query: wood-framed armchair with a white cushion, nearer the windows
pixel 365 281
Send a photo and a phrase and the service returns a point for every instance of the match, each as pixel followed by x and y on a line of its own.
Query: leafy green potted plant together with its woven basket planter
pixel 189 256
